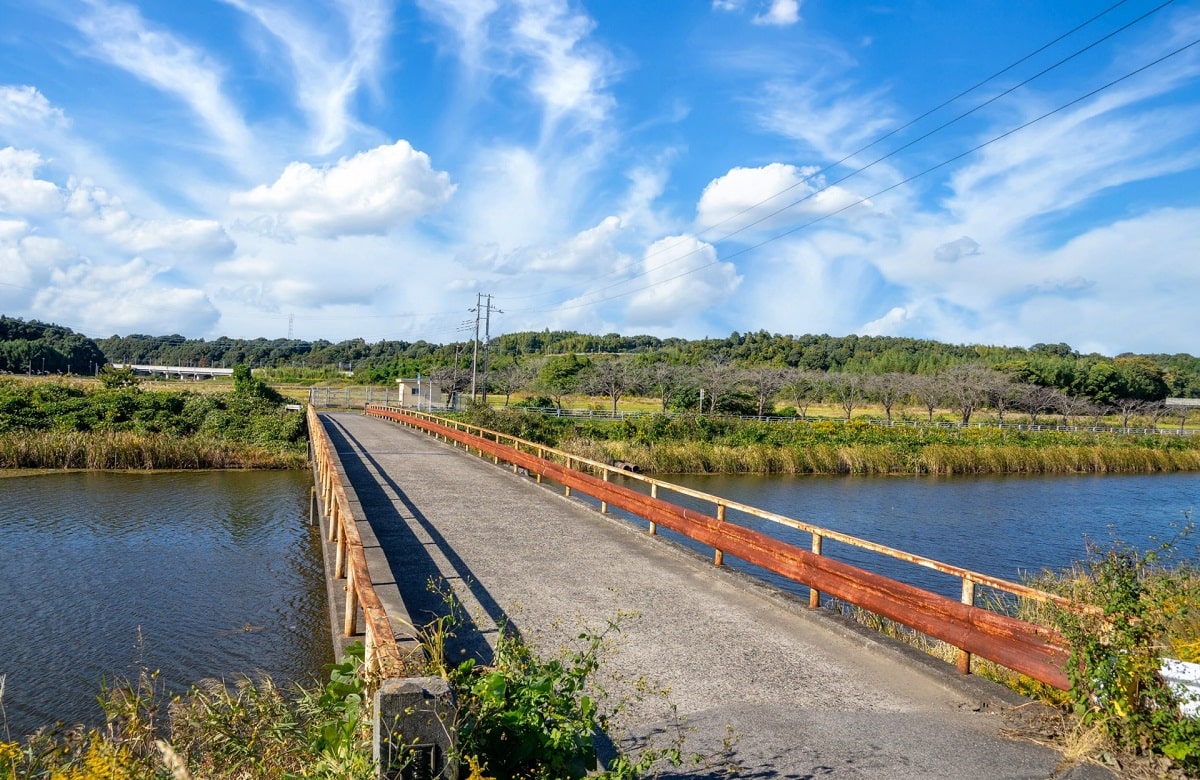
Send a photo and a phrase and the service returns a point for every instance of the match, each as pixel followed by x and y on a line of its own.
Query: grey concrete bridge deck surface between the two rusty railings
pixel 802 694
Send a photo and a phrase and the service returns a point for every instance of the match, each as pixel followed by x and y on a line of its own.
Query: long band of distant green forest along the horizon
pixel 34 347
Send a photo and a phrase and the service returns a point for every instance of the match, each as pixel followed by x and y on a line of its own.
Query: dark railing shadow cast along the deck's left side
pixel 422 584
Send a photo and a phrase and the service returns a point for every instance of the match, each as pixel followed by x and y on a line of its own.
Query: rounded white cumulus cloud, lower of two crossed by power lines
pixel 682 277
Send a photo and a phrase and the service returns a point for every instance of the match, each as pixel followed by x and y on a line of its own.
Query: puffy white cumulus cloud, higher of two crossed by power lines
pixel 769 197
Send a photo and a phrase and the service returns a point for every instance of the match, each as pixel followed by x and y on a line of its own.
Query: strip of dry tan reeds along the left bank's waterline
pixel 130 451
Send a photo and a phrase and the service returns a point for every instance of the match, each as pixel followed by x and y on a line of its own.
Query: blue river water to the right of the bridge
pixel 1009 527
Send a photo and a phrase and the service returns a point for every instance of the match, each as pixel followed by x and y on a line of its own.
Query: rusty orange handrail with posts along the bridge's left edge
pixel 383 657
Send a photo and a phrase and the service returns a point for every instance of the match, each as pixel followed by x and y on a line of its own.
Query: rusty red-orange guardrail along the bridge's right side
pixel 1024 647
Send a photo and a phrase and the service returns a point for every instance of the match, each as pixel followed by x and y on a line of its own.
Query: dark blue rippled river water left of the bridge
pixel 213 574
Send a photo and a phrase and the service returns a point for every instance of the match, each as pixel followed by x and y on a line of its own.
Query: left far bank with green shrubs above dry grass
pixel 70 425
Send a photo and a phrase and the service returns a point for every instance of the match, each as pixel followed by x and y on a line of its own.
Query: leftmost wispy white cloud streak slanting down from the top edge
pixel 121 37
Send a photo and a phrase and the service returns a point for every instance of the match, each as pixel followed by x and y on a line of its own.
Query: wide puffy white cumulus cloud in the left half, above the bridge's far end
pixel 369 194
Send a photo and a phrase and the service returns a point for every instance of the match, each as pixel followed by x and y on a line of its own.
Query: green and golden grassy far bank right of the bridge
pixel 717 446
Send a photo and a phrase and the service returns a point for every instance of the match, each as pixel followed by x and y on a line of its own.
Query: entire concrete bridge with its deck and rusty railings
pixel 544 544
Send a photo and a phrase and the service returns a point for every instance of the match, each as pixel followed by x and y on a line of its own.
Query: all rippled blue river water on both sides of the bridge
pixel 218 574
